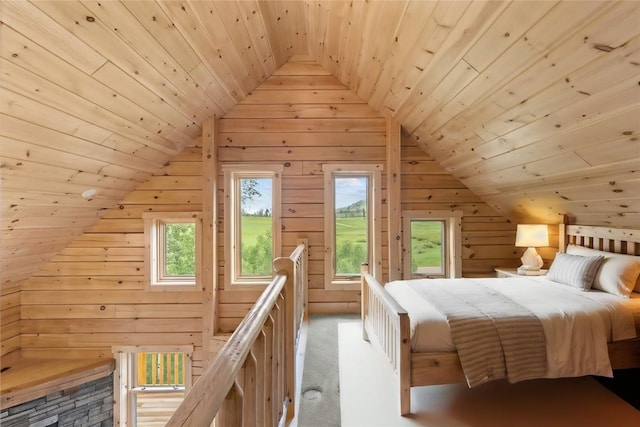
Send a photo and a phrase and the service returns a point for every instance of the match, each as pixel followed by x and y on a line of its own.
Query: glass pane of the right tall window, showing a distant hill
pixel 351 213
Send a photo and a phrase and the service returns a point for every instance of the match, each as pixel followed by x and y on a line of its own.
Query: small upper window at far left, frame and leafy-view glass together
pixel 173 249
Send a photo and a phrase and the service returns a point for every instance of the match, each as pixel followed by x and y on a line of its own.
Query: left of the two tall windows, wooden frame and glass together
pixel 252 223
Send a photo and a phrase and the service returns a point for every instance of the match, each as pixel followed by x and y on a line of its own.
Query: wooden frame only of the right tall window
pixel 374 211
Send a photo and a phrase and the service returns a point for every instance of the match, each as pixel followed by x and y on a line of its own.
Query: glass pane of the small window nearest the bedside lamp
pixel 427 249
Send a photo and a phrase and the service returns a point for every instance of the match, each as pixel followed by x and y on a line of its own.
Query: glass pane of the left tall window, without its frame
pixel 256 241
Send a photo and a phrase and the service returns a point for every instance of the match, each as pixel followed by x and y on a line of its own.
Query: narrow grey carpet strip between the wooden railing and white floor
pixel 320 390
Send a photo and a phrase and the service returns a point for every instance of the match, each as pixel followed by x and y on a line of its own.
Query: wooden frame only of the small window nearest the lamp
pixel 452 236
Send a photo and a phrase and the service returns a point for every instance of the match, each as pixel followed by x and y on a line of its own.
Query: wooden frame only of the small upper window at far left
pixel 154 255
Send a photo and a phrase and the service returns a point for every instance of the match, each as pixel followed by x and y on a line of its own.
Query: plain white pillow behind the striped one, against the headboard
pixel 619 274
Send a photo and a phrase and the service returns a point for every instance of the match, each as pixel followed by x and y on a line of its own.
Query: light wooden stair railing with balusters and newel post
pixel 252 380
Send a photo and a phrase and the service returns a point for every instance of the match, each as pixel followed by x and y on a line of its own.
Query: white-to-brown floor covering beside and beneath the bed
pixel 369 397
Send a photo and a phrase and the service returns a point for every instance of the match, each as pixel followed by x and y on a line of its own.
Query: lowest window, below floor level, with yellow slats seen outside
pixel 150 383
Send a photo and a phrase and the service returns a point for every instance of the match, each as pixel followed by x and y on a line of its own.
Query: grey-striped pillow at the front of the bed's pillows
pixel 574 270
